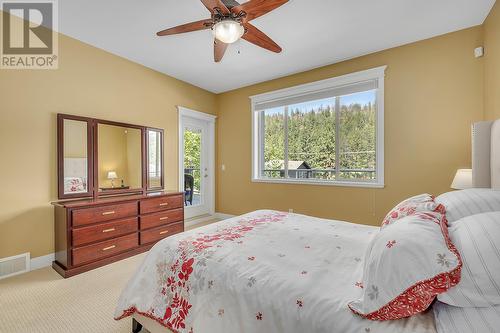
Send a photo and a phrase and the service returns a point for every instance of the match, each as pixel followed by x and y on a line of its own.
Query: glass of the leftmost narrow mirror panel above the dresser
pixel 75 156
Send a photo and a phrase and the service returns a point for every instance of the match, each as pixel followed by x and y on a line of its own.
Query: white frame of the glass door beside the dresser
pixel 210 119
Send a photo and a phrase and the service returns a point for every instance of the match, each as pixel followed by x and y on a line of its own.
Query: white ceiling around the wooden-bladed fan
pixel 312 33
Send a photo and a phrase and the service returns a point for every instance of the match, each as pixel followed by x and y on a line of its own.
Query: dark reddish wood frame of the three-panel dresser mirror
pixel 92 157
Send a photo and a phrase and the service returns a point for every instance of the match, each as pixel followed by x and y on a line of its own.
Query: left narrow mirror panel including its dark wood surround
pixel 75 161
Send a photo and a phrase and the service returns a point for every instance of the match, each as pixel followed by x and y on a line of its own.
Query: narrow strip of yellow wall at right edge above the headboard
pixel 492 63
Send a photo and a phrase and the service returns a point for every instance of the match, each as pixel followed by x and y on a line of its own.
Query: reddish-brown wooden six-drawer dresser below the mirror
pixel 96 232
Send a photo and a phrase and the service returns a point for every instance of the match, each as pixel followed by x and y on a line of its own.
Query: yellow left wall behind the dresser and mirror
pixel 89 82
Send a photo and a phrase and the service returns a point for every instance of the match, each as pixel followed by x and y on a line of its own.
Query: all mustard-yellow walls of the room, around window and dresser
pixel 434 90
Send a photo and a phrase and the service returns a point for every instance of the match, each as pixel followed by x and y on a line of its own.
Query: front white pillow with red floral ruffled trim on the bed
pixel 406 265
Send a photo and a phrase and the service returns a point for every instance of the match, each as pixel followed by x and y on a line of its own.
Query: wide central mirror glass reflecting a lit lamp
pixel 119 158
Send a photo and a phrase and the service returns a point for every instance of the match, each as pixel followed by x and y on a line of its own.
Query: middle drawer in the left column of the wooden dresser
pixel 103 231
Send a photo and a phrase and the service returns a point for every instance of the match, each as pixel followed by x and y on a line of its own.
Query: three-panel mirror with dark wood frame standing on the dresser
pixel 102 158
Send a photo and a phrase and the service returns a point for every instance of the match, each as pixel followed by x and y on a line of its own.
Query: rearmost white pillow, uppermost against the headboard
pixel 469 202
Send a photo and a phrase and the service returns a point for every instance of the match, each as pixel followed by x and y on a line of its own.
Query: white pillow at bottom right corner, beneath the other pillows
pixel 451 319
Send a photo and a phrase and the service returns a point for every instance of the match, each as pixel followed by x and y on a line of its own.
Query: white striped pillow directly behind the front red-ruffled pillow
pixel 477 238
